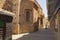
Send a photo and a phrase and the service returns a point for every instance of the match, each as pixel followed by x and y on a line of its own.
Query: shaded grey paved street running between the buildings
pixel 44 34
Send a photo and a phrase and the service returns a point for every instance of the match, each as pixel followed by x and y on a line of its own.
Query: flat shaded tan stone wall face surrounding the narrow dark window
pixel 25 26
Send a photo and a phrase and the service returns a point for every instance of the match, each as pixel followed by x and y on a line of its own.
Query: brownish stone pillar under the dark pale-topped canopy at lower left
pixel 8 31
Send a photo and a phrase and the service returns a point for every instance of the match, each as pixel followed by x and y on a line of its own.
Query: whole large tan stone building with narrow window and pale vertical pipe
pixel 28 15
